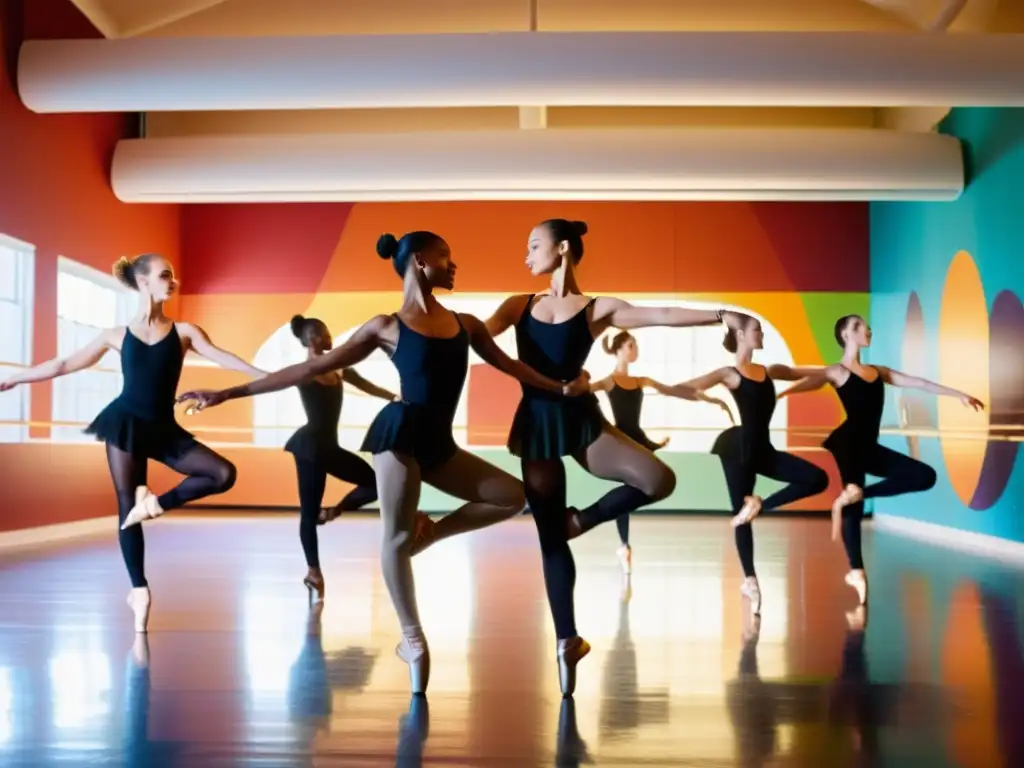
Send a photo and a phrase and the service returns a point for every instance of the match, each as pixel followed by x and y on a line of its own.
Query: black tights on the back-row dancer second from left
pixel 346 466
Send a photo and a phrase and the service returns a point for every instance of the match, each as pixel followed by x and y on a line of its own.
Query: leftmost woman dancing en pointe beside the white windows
pixel 140 424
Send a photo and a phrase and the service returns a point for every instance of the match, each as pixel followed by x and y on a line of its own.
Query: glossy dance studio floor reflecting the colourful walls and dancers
pixel 235 672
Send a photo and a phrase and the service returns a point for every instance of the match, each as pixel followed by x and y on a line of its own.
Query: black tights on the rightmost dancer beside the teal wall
pixel 901 475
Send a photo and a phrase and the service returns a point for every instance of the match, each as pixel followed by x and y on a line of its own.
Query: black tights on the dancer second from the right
pixel 741 476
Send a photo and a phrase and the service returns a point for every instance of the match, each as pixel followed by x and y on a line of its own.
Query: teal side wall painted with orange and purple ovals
pixel 947 287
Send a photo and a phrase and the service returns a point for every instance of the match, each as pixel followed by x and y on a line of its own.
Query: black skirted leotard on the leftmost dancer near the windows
pixel 141 420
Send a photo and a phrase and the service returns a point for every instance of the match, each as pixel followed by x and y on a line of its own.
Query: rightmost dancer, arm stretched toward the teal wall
pixel 856 443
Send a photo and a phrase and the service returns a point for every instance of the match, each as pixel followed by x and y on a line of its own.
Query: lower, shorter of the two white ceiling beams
pixel 557 164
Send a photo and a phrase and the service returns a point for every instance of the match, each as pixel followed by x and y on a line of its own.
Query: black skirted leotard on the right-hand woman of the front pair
pixel 546 424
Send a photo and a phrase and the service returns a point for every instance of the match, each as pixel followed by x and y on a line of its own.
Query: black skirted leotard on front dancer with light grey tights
pixel 433 372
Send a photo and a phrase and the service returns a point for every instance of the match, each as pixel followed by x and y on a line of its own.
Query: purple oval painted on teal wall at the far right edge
pixel 1006 375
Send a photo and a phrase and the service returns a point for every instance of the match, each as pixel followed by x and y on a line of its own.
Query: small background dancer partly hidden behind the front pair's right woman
pixel 626 398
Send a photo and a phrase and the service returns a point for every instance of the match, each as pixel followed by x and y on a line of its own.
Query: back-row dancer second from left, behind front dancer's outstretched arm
pixel 317 452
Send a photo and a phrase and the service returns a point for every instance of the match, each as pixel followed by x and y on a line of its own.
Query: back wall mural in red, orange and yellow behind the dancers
pixel 250 268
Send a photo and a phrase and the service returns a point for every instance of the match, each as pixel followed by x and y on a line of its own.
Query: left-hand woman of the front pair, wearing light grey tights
pixel 412 441
